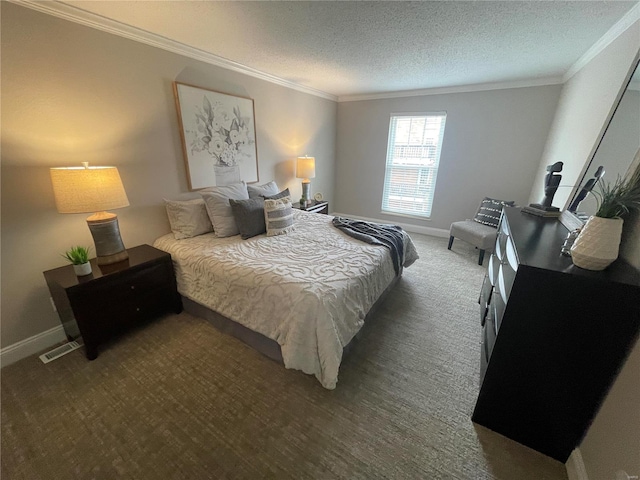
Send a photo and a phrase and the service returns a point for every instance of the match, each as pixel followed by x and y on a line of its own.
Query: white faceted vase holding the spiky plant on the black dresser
pixel 598 244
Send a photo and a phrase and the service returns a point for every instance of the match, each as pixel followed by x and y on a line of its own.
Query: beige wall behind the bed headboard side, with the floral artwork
pixel 71 94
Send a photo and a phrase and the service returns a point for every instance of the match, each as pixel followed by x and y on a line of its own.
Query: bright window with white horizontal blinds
pixel 413 154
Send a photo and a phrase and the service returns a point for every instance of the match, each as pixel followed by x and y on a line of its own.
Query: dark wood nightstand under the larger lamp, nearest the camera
pixel 114 297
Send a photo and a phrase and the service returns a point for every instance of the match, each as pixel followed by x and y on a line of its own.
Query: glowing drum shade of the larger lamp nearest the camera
pixel 88 189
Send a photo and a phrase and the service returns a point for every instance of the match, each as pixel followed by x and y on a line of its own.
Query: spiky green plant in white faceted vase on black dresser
pixel 598 244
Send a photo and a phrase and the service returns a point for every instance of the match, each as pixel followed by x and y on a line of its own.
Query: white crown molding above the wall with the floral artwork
pixel 76 15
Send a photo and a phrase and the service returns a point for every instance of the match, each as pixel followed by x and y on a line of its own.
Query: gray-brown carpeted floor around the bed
pixel 179 400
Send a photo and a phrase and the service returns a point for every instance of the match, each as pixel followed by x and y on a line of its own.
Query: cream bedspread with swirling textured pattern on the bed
pixel 308 290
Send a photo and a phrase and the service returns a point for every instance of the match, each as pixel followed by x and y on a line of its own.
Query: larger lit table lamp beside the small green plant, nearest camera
pixel 94 189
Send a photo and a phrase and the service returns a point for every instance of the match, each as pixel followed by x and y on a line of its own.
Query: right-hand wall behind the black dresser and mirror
pixel 613 441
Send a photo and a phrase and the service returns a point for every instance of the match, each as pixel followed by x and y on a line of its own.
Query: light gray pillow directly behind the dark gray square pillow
pixel 216 200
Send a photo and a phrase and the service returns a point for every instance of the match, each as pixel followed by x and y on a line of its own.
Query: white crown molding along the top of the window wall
pixel 479 87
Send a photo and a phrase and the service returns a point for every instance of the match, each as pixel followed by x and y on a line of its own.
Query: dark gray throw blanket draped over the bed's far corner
pixel 376 234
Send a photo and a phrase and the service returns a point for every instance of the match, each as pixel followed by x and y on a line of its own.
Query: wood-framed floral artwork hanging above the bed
pixel 218 136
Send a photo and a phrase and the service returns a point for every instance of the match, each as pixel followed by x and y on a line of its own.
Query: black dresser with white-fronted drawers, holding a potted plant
pixel 554 336
